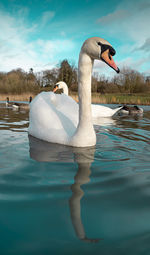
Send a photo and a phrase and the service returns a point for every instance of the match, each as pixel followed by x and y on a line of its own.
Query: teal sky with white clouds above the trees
pixel 39 34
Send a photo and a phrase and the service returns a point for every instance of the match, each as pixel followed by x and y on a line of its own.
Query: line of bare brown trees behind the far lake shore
pixel 18 81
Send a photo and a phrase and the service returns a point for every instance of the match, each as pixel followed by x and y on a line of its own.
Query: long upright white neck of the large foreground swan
pixel 85 134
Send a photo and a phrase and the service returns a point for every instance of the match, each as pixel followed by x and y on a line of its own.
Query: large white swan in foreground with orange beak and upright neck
pixel 48 119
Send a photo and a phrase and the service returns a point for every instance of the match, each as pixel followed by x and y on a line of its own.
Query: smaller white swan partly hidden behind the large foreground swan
pixel 97 110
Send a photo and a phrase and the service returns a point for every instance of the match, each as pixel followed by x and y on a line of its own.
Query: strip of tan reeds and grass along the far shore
pixel 139 99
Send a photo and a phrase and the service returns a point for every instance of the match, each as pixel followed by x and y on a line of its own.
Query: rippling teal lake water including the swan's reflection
pixel 60 200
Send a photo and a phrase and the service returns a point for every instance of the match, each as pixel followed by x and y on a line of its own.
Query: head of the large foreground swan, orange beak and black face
pixel 98 48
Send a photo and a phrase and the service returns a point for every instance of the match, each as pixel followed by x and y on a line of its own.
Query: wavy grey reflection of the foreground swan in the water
pixel 47 152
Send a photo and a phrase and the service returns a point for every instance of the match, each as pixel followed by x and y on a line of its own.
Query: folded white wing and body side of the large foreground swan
pixel 47 122
